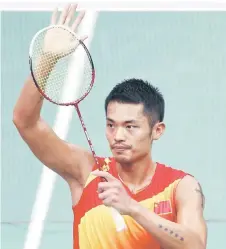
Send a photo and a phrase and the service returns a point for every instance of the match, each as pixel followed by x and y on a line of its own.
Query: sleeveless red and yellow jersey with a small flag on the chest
pixel 94 227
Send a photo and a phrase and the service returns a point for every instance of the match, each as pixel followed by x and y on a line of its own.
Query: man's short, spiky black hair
pixel 138 91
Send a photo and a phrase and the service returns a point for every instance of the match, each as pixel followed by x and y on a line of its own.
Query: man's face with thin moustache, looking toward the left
pixel 128 132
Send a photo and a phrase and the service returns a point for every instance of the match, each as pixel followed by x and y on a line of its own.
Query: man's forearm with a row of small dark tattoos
pixel 169 234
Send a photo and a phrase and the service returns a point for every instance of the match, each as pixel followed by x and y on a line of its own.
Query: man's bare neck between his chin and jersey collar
pixel 138 172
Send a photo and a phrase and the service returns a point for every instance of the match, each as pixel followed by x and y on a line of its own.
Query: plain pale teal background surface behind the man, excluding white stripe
pixel 183 53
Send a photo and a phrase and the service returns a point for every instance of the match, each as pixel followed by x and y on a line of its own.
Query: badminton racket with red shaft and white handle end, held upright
pixel 53 52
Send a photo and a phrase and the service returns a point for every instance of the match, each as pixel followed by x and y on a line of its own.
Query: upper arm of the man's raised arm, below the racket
pixel 69 161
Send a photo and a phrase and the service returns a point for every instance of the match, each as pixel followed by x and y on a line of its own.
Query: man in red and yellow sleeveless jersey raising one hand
pixel 162 206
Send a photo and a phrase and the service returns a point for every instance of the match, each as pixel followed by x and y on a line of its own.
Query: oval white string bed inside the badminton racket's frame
pixel 53 72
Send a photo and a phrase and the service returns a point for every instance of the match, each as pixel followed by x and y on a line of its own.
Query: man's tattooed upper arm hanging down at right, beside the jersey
pixel 190 203
